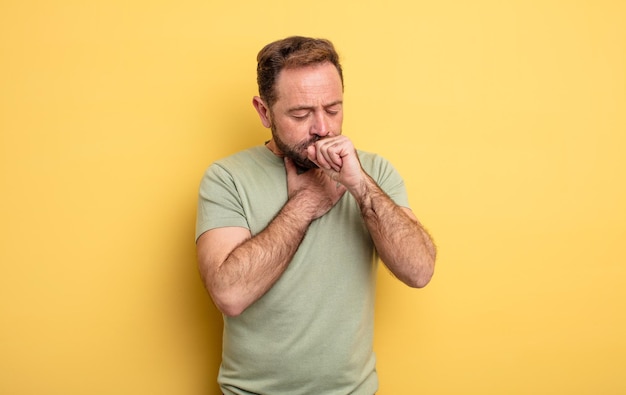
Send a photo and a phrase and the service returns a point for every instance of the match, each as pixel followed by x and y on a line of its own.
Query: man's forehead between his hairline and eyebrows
pixel 309 84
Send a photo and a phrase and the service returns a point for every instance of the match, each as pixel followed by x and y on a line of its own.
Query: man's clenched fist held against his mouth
pixel 337 157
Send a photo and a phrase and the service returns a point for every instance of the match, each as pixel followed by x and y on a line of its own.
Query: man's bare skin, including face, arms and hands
pixel 306 122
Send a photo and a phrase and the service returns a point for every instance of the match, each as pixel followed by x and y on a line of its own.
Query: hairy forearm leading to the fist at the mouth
pixel 402 243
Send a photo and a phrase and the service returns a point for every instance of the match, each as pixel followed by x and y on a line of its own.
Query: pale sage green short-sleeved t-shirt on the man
pixel 312 332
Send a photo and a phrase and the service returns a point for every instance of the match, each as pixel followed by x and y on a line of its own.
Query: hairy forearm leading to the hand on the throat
pixel 255 265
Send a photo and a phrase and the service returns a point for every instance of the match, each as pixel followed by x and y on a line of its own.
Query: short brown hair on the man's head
pixel 291 52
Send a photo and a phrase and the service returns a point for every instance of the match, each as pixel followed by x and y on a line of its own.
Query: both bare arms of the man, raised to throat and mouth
pixel 238 269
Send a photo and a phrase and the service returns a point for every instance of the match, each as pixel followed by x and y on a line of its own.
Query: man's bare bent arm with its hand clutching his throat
pixel 238 269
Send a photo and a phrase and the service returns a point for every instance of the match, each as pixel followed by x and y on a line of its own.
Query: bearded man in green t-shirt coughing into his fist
pixel 288 236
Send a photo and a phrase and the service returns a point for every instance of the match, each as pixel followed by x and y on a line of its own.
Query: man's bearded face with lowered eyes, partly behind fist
pixel 309 107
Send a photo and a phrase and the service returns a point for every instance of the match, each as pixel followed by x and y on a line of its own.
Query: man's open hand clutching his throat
pixel 314 191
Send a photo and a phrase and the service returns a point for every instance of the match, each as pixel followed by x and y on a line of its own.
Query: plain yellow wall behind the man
pixel 506 118
